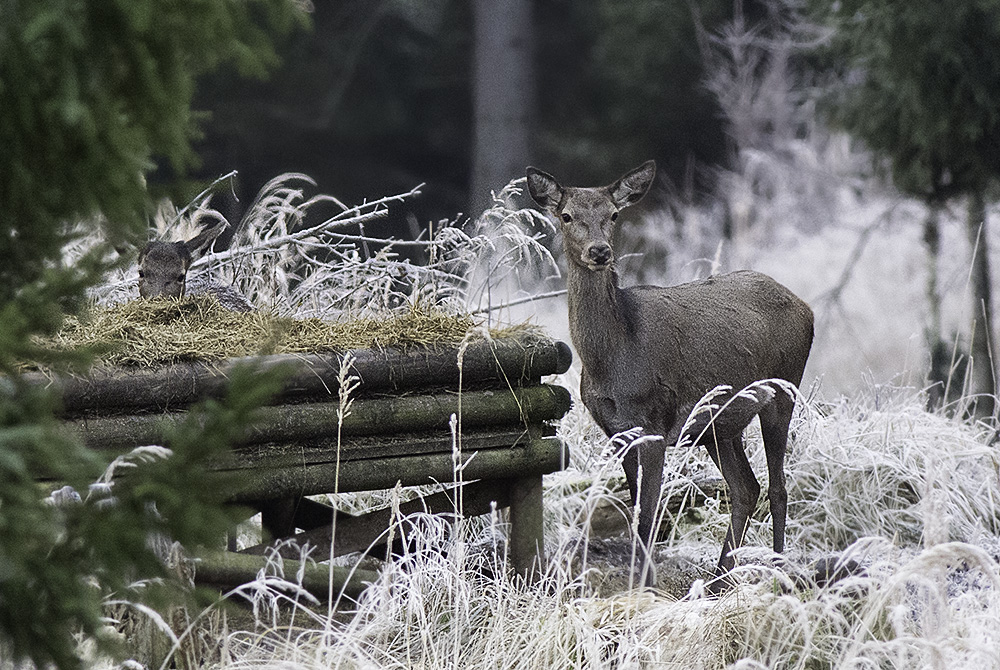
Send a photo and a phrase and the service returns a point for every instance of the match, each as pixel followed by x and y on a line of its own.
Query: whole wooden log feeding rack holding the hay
pixel 415 418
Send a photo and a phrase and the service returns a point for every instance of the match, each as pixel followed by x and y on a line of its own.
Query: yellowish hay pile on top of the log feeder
pixel 157 332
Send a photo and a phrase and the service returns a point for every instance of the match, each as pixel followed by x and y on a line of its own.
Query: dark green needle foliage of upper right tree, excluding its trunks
pixel 920 85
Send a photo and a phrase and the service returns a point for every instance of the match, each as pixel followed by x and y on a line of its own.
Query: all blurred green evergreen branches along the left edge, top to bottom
pixel 93 93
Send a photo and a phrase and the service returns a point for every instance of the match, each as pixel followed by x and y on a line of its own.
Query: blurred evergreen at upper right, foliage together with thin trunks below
pixel 919 83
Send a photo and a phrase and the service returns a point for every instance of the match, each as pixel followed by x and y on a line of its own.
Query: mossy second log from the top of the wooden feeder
pixel 368 416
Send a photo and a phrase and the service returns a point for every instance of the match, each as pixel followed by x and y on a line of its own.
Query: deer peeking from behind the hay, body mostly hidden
pixel 163 268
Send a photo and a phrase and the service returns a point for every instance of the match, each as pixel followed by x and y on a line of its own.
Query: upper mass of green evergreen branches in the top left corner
pixel 90 93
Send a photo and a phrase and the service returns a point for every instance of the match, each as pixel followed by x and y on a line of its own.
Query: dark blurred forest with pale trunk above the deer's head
pixel 380 96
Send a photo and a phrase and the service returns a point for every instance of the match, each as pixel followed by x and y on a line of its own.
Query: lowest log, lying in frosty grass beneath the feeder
pixel 228 569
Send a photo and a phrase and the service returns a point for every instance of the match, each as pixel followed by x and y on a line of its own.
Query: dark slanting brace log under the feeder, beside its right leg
pixel 359 533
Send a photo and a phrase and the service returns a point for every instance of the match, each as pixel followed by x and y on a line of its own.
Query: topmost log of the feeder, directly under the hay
pixel 508 362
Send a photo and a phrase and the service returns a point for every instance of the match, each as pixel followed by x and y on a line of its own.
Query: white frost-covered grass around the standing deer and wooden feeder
pixel 907 499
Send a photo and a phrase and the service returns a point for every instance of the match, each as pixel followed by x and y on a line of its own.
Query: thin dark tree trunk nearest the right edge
pixel 981 345
